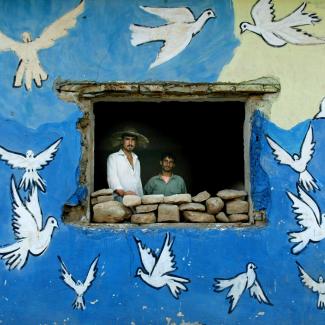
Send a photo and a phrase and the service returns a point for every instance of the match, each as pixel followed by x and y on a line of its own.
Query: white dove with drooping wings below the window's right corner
pixel 238 284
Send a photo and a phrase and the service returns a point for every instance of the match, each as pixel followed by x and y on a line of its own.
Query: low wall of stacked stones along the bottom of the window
pixel 228 206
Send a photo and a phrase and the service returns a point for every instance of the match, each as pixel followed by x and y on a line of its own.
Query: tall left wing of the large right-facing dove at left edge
pixel 23 222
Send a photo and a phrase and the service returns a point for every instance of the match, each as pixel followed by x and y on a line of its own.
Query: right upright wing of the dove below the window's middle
pixel 165 262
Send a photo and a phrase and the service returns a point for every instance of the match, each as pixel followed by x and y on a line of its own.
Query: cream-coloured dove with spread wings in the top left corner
pixel 29 67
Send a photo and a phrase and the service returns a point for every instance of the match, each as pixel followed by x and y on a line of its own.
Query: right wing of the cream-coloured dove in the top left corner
pixel 59 28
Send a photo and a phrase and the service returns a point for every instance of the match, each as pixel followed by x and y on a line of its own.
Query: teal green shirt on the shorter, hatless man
pixel 156 185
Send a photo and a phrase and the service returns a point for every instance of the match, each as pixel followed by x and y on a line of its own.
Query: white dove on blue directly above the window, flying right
pixel 176 34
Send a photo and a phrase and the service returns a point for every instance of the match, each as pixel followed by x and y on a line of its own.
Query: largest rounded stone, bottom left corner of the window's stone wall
pixel 111 212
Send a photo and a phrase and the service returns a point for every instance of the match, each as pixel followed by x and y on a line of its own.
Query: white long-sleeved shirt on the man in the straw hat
pixel 121 175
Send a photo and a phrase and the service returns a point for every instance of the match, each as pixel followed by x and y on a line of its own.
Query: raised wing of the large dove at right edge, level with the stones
pixel 305 215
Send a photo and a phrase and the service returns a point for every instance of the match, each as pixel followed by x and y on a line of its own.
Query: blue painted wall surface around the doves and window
pixel 99 49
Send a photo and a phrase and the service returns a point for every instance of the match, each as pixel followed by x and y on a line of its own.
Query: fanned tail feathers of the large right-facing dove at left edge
pixel 15 256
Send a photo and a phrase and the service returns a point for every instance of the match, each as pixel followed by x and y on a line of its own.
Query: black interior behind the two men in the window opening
pixel 206 138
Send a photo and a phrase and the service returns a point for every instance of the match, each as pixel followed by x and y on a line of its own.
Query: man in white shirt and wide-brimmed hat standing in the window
pixel 123 166
